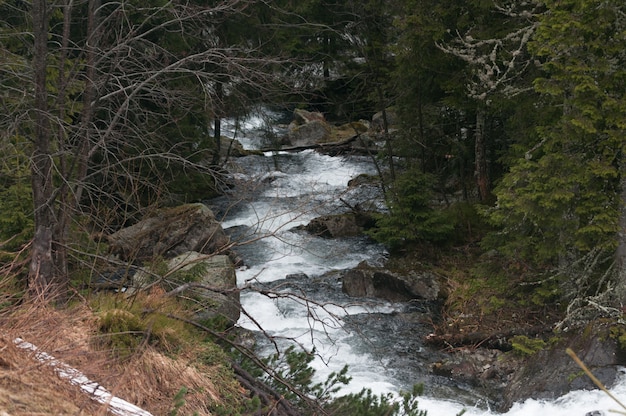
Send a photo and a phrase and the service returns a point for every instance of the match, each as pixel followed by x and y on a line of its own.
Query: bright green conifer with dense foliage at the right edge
pixel 561 204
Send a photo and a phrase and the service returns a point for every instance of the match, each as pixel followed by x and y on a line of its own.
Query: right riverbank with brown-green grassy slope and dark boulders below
pixel 505 345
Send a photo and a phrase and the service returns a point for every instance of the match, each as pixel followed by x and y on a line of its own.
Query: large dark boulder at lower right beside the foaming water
pixel 506 378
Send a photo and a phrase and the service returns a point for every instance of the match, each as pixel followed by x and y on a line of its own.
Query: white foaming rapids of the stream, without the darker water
pixel 306 185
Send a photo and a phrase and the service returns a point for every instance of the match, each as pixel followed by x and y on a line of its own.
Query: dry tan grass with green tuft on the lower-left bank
pixel 143 357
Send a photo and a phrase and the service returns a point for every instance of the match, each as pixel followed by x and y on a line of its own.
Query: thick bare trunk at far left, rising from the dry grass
pixel 42 280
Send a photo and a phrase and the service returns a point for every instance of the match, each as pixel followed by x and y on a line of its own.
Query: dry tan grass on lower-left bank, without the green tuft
pixel 147 378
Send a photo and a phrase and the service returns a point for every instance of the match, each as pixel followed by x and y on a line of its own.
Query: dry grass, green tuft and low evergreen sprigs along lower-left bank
pixel 147 350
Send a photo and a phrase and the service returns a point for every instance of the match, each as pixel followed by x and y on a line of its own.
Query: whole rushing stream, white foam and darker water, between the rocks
pixel 277 192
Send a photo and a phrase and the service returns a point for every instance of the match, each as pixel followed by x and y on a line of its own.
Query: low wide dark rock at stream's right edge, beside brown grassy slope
pixel 366 281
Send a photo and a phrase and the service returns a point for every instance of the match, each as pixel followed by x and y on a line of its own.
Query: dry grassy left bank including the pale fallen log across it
pixel 70 358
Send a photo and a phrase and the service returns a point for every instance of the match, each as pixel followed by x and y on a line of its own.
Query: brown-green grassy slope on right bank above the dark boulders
pixel 481 307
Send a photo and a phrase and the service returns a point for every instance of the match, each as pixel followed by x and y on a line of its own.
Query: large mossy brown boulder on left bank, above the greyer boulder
pixel 170 232
